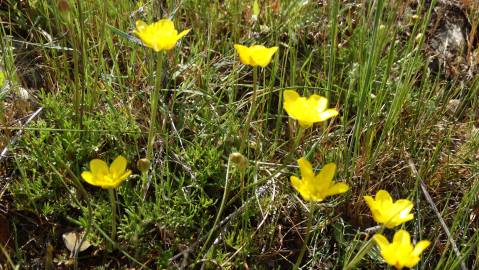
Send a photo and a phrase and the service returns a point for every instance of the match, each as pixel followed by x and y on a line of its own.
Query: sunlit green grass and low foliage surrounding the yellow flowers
pixel 94 85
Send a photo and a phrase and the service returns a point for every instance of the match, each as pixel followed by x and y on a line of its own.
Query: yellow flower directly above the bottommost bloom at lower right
pixel 388 213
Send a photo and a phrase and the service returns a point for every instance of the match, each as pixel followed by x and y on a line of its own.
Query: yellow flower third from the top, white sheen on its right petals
pixel 307 111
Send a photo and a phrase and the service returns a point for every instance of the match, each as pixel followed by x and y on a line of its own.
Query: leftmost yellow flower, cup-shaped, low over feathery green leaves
pixel 102 176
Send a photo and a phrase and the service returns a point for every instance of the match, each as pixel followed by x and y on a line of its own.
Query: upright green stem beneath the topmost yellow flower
pixel 154 108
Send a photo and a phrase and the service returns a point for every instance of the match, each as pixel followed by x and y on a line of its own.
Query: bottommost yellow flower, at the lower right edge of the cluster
pixel 400 253
